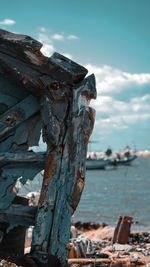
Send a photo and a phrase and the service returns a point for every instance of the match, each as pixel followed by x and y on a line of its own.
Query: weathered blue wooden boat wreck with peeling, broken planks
pixel 51 94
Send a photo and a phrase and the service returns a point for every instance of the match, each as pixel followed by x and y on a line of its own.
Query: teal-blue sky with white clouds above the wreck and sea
pixel 109 37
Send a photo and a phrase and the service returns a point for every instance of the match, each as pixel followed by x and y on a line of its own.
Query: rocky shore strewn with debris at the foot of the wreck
pixel 94 241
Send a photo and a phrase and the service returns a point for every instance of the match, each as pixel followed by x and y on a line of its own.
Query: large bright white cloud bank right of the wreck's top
pixel 112 113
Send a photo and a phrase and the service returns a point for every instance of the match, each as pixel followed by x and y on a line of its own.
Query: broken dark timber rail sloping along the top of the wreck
pixel 22 60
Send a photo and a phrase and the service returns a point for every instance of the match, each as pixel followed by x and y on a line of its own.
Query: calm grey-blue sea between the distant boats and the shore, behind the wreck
pixel 123 190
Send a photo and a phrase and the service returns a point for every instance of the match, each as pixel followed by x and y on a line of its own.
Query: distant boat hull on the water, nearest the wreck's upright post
pixel 96 164
